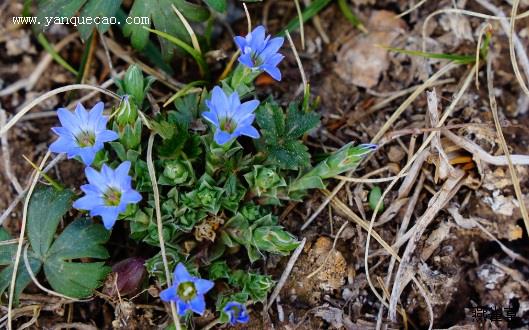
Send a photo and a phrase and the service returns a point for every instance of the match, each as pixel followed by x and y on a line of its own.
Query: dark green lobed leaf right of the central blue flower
pixel 281 134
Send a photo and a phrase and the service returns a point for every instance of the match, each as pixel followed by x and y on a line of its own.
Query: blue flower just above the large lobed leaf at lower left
pixel 108 193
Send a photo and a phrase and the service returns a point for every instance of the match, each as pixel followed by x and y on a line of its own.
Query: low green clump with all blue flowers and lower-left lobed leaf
pixel 218 193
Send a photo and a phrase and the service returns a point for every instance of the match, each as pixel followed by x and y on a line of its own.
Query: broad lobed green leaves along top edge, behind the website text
pixel 159 12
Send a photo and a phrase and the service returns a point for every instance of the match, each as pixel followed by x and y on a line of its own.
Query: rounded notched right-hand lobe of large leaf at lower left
pixel 76 279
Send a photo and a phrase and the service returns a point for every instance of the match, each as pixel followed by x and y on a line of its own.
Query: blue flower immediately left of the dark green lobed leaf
pixel 230 117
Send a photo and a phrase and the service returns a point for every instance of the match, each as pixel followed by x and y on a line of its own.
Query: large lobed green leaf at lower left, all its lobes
pixel 79 240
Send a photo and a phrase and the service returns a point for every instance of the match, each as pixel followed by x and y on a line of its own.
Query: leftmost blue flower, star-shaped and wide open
pixel 83 133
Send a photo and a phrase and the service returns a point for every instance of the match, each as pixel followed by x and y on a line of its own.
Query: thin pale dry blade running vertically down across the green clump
pixel 156 193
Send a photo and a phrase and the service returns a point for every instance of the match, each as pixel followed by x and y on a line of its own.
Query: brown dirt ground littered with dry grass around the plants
pixel 473 250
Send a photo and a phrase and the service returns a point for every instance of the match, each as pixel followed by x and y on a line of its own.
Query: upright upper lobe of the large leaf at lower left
pixel 46 209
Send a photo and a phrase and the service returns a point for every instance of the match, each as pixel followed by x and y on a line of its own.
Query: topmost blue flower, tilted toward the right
pixel 259 52
